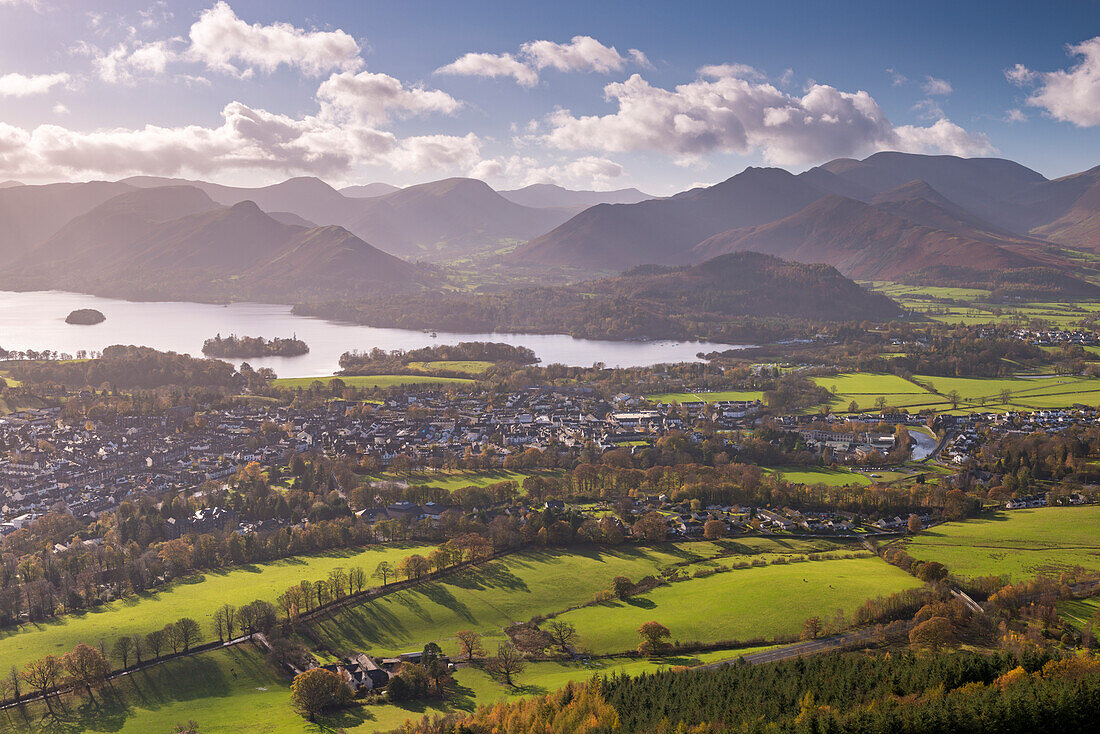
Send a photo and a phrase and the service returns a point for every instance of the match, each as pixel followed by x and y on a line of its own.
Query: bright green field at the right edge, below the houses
pixel 1020 544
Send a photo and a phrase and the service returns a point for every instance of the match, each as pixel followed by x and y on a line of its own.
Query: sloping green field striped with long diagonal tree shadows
pixel 491 597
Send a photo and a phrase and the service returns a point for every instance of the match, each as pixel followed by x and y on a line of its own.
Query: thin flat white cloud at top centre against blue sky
pixel 582 53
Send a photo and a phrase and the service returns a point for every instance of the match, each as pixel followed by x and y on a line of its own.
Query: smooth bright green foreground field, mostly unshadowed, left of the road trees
pixel 741 605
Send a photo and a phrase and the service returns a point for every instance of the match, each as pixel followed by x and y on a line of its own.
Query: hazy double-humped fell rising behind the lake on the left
pixel 177 243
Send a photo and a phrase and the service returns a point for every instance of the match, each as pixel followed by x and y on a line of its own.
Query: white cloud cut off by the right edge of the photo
pixel 1069 95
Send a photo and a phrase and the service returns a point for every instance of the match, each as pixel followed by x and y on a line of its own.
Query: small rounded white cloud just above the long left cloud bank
pixel 369 97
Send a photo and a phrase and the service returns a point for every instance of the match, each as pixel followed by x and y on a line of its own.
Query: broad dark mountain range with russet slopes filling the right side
pixel 892 216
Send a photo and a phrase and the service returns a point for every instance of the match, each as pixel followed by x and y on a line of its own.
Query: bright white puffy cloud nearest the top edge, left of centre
pixel 226 43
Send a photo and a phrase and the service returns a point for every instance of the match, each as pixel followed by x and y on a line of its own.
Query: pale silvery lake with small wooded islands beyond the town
pixel 37 321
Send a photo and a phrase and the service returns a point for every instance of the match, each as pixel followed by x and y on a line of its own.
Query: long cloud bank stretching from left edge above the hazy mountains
pixel 344 134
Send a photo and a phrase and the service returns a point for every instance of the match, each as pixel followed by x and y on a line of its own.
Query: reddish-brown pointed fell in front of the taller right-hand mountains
pixel 862 242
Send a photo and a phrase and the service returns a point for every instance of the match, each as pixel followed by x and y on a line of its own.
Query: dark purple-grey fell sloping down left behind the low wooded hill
pixel 619 237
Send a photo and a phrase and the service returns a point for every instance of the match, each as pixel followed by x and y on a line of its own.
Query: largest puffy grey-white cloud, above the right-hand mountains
pixel 736 115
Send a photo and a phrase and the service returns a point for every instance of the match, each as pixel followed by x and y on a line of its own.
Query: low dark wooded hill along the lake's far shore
pixel 744 297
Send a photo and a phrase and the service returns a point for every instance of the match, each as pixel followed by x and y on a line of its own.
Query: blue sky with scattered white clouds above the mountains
pixel 661 96
